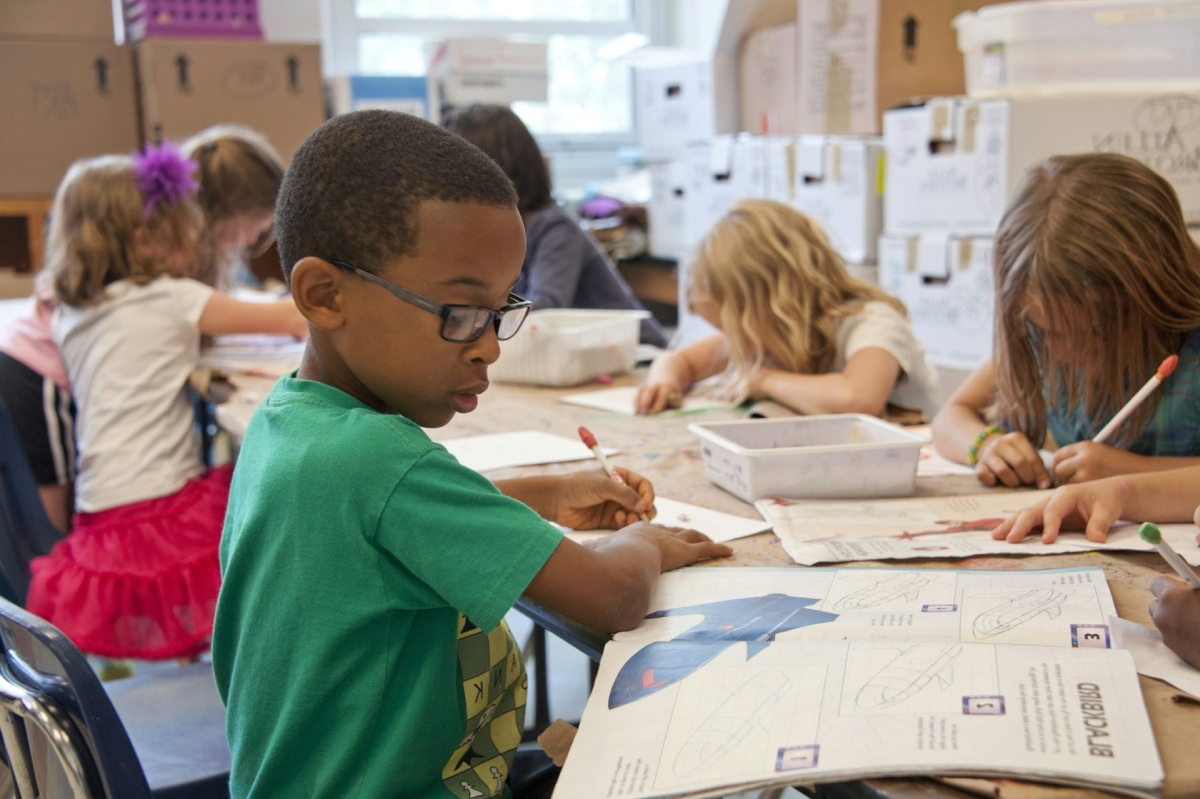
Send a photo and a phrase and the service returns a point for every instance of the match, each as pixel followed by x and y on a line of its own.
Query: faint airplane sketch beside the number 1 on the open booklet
pixel 731 723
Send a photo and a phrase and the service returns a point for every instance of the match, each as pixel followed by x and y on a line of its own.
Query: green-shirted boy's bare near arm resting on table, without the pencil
pixel 609 587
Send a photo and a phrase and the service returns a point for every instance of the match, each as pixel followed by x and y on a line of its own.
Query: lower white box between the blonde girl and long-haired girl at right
pixel 946 283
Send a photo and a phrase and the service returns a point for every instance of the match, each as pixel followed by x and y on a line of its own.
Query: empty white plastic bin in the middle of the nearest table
pixel 832 458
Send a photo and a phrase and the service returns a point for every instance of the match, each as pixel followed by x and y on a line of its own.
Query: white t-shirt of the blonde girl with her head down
pixel 880 326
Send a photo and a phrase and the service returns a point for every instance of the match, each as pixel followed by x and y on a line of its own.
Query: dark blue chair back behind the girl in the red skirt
pixel 26 532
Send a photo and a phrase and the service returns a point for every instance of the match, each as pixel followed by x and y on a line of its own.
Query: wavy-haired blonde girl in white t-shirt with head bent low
pixel 795 326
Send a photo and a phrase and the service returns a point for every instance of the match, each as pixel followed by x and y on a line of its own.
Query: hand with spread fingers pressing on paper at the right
pixel 1089 507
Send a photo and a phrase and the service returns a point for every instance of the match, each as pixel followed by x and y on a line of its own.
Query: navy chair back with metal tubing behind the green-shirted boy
pixel 59 730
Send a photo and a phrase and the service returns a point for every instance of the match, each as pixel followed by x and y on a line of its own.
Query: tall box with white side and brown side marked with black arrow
pixel 859 58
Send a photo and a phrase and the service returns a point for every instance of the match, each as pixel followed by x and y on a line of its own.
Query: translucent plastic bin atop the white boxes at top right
pixel 1081 46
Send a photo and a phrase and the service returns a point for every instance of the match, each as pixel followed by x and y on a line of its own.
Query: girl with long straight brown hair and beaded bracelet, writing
pixel 1097 281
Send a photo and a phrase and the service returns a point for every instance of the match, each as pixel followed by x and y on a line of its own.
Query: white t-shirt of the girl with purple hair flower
pixel 129 359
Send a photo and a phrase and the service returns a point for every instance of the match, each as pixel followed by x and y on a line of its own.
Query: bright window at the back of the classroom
pixel 590 99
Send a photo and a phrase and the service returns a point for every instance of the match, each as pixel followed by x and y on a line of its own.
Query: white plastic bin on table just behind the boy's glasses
pixel 569 347
